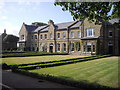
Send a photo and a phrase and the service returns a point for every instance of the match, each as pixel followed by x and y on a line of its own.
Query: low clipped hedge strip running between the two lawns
pixel 57 63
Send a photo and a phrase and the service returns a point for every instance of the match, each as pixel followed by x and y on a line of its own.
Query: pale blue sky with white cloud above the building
pixel 13 14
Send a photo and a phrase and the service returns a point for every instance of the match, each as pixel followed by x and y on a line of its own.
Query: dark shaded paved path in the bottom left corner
pixel 15 80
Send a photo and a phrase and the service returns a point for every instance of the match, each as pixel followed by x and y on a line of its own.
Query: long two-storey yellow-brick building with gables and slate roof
pixel 77 37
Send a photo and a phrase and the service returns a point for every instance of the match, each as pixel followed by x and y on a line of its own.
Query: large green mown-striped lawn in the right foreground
pixel 101 71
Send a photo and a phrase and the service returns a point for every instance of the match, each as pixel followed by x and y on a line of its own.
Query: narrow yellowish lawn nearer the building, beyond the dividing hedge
pixel 33 59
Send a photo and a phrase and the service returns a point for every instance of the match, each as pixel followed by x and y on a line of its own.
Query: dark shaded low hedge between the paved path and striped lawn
pixel 83 84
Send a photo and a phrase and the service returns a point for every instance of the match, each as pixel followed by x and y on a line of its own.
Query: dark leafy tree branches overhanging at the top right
pixel 91 10
